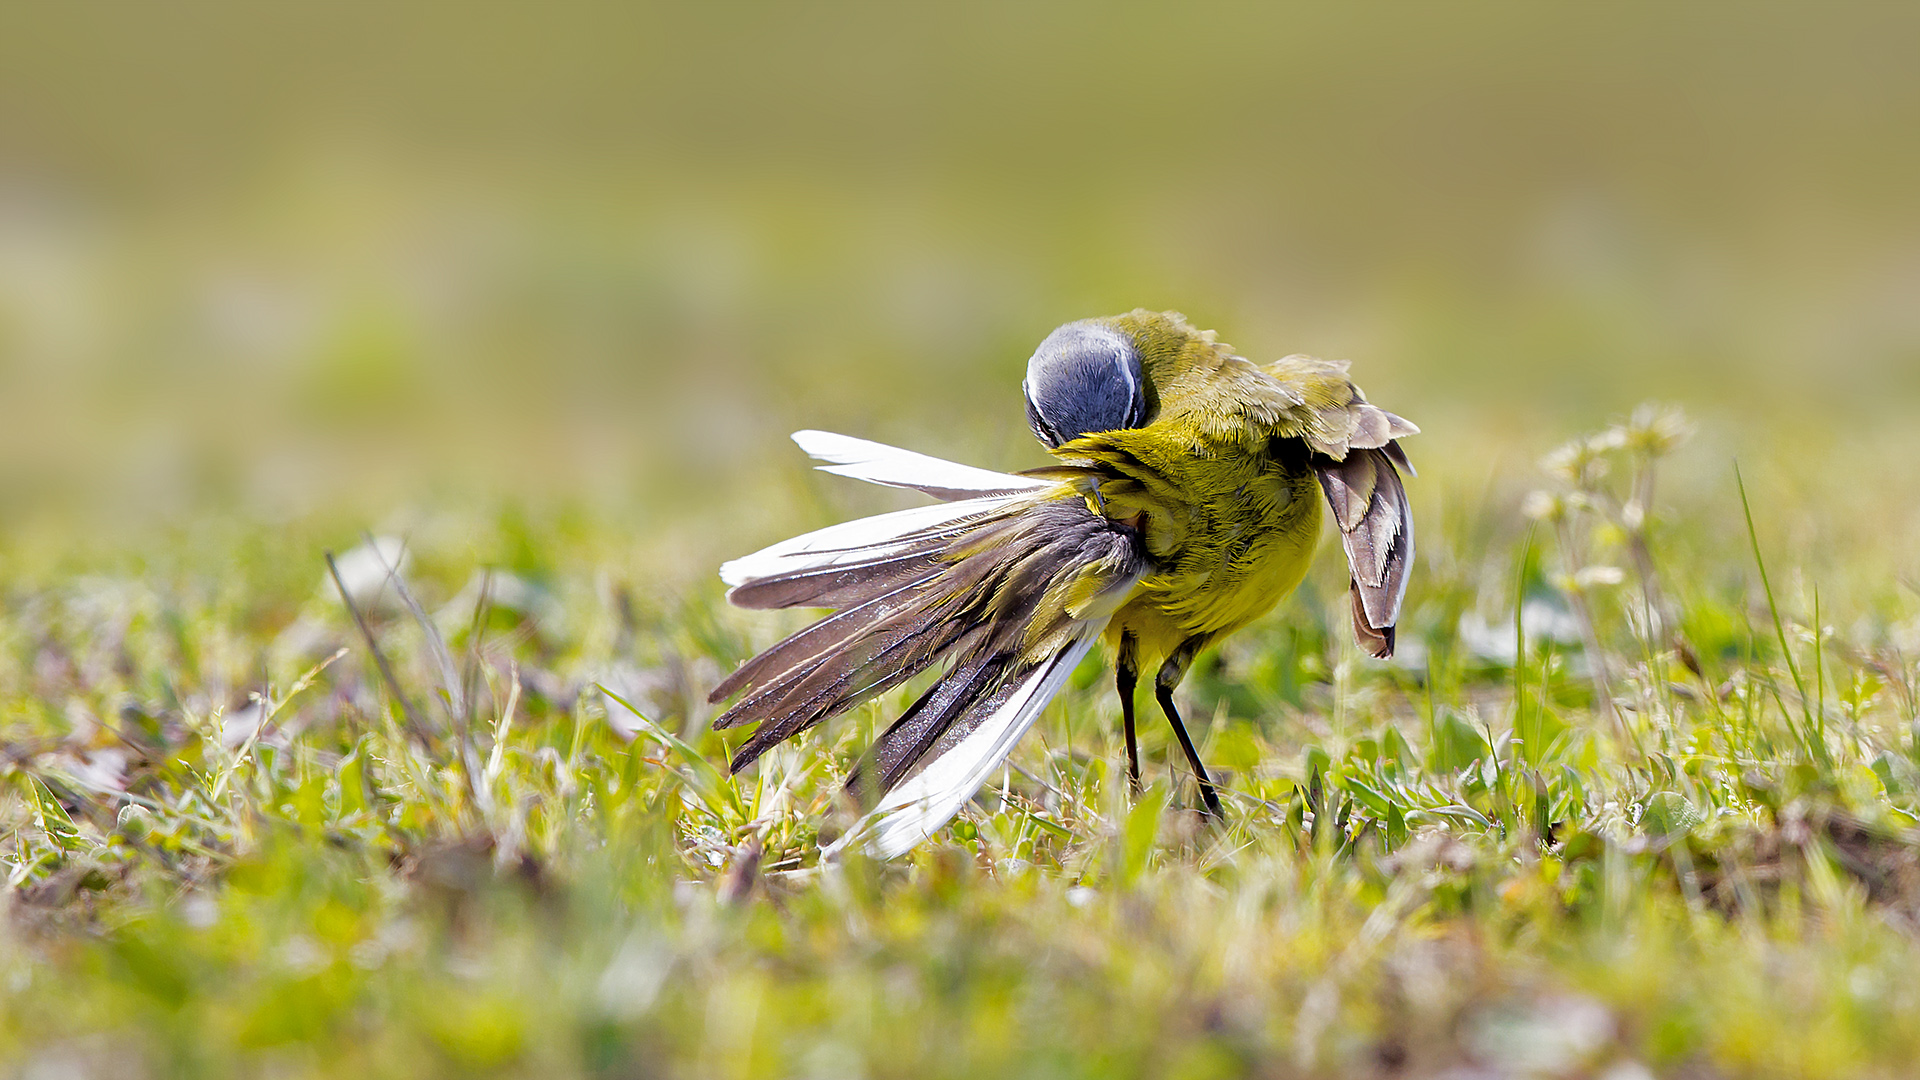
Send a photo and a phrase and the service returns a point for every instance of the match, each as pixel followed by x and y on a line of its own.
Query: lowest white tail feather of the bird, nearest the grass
pixel 919 808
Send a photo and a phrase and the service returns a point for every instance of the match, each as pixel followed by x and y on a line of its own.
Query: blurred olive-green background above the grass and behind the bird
pixel 364 257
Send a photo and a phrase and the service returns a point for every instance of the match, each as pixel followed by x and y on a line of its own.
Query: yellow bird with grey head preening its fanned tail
pixel 1184 504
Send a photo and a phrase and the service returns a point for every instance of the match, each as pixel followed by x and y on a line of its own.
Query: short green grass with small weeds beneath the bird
pixel 1593 823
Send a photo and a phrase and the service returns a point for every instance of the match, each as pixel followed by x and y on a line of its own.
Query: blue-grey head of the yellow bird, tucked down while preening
pixel 1086 378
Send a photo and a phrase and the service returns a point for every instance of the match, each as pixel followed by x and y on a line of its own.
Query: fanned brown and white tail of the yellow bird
pixel 1007 591
